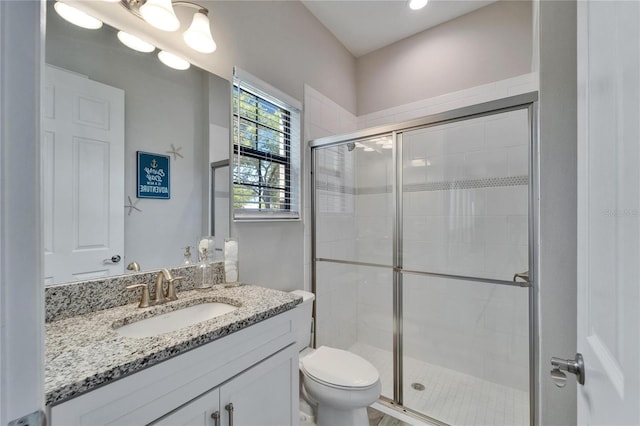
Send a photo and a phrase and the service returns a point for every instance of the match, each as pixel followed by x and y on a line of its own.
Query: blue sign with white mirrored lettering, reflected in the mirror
pixel 153 175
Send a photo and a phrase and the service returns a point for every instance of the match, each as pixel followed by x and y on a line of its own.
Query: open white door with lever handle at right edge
pixel 609 211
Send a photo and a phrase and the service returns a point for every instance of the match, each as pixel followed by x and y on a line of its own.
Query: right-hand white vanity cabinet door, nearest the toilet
pixel 264 395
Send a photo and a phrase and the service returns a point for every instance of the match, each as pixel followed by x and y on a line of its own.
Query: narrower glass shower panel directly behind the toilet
pixel 354 208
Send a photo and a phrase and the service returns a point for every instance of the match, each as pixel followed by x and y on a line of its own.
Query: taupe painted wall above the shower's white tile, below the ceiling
pixel 487 45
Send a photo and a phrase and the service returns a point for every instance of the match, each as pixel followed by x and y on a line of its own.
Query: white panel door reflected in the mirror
pixel 83 151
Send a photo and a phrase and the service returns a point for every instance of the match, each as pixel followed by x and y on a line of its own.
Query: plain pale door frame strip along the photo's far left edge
pixel 21 260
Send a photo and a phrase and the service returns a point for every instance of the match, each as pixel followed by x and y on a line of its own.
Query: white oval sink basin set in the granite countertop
pixel 175 320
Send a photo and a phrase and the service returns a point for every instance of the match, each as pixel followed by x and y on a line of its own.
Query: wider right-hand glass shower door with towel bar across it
pixel 464 234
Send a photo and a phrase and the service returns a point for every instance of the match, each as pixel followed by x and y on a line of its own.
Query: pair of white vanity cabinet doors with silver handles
pixel 261 396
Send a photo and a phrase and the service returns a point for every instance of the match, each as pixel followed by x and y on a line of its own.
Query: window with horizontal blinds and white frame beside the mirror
pixel 266 155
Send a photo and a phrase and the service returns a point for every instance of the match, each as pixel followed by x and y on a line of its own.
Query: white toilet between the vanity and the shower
pixel 339 383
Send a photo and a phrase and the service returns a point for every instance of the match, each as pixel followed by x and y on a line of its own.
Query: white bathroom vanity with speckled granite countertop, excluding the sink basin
pixel 238 368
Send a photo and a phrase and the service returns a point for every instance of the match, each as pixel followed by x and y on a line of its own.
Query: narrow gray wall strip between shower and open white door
pixel 558 205
